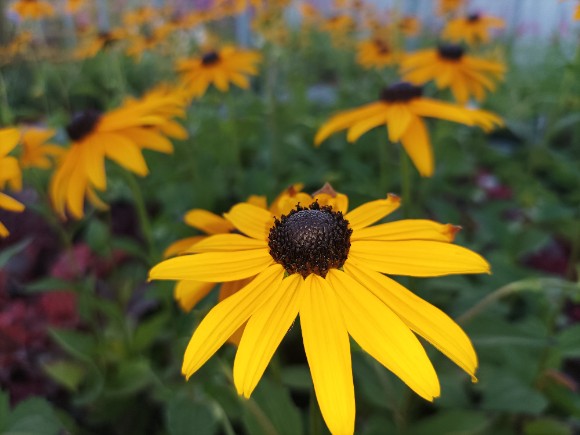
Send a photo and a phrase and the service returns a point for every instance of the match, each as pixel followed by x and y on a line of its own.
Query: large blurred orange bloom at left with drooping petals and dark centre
pixel 119 135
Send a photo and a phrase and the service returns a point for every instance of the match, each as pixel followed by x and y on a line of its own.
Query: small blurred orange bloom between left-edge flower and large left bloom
pixel 36 152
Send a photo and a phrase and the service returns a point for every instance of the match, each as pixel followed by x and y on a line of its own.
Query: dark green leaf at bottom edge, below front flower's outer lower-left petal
pixel 185 416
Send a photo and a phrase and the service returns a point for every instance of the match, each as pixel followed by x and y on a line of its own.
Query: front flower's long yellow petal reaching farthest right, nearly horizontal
pixel 416 258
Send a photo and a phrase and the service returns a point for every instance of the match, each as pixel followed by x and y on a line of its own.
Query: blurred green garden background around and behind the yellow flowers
pixel 87 346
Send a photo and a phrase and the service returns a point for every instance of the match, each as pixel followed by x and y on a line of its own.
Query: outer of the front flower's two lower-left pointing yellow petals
pixel 226 317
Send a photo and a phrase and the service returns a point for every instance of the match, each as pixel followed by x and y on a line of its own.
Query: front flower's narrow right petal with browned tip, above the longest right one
pixel 408 229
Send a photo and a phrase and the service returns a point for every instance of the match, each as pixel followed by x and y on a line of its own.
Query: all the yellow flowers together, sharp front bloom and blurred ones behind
pixel 303 255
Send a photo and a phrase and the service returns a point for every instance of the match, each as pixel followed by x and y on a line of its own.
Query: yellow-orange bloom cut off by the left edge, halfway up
pixel 9 173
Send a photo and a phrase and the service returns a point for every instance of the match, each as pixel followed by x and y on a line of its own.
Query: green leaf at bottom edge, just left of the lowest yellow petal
pixel 271 410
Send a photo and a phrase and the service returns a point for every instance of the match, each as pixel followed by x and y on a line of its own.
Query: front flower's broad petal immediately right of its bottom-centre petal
pixel 382 334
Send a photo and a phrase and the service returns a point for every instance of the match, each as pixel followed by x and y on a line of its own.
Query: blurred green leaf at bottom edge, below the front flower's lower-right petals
pixel 452 422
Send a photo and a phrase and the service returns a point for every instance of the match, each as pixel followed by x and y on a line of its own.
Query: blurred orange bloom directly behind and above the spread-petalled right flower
pixel 451 68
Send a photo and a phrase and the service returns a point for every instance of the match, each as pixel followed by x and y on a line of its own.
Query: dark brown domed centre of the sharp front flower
pixel 310 239
